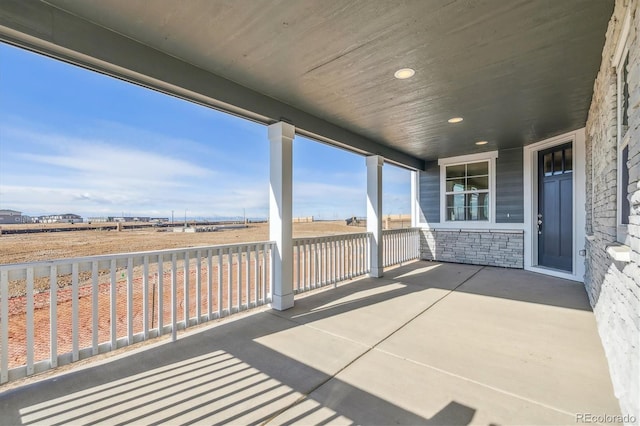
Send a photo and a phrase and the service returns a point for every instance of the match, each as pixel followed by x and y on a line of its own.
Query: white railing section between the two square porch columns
pixel 321 261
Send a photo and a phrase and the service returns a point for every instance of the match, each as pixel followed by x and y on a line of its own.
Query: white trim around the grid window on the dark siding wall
pixel 464 159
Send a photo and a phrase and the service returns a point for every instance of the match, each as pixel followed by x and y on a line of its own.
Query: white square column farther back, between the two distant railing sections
pixel 374 212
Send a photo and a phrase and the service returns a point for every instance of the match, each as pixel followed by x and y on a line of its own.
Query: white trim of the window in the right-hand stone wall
pixel 619 57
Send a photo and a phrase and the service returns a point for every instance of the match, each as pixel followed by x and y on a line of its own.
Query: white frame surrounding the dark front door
pixel 530 152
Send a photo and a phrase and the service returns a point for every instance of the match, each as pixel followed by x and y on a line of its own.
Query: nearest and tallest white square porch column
pixel 280 213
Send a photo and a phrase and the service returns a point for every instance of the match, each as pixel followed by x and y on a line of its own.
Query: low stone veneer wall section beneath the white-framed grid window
pixel 476 247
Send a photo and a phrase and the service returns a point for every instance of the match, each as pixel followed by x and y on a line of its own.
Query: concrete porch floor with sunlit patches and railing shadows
pixel 429 343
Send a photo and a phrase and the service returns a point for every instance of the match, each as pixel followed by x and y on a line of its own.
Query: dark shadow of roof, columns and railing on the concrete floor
pixel 225 374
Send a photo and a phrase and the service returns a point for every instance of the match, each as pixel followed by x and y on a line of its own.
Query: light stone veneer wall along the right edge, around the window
pixel 614 287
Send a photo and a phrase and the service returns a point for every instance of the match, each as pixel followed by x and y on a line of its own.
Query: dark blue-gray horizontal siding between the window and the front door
pixel 510 186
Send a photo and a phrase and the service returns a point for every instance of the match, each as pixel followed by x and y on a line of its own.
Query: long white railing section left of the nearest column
pixel 61 311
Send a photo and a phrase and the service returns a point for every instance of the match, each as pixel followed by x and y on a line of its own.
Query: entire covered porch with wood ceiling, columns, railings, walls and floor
pixel 500 102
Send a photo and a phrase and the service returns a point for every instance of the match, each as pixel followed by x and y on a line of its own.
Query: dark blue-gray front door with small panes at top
pixel 555 208
